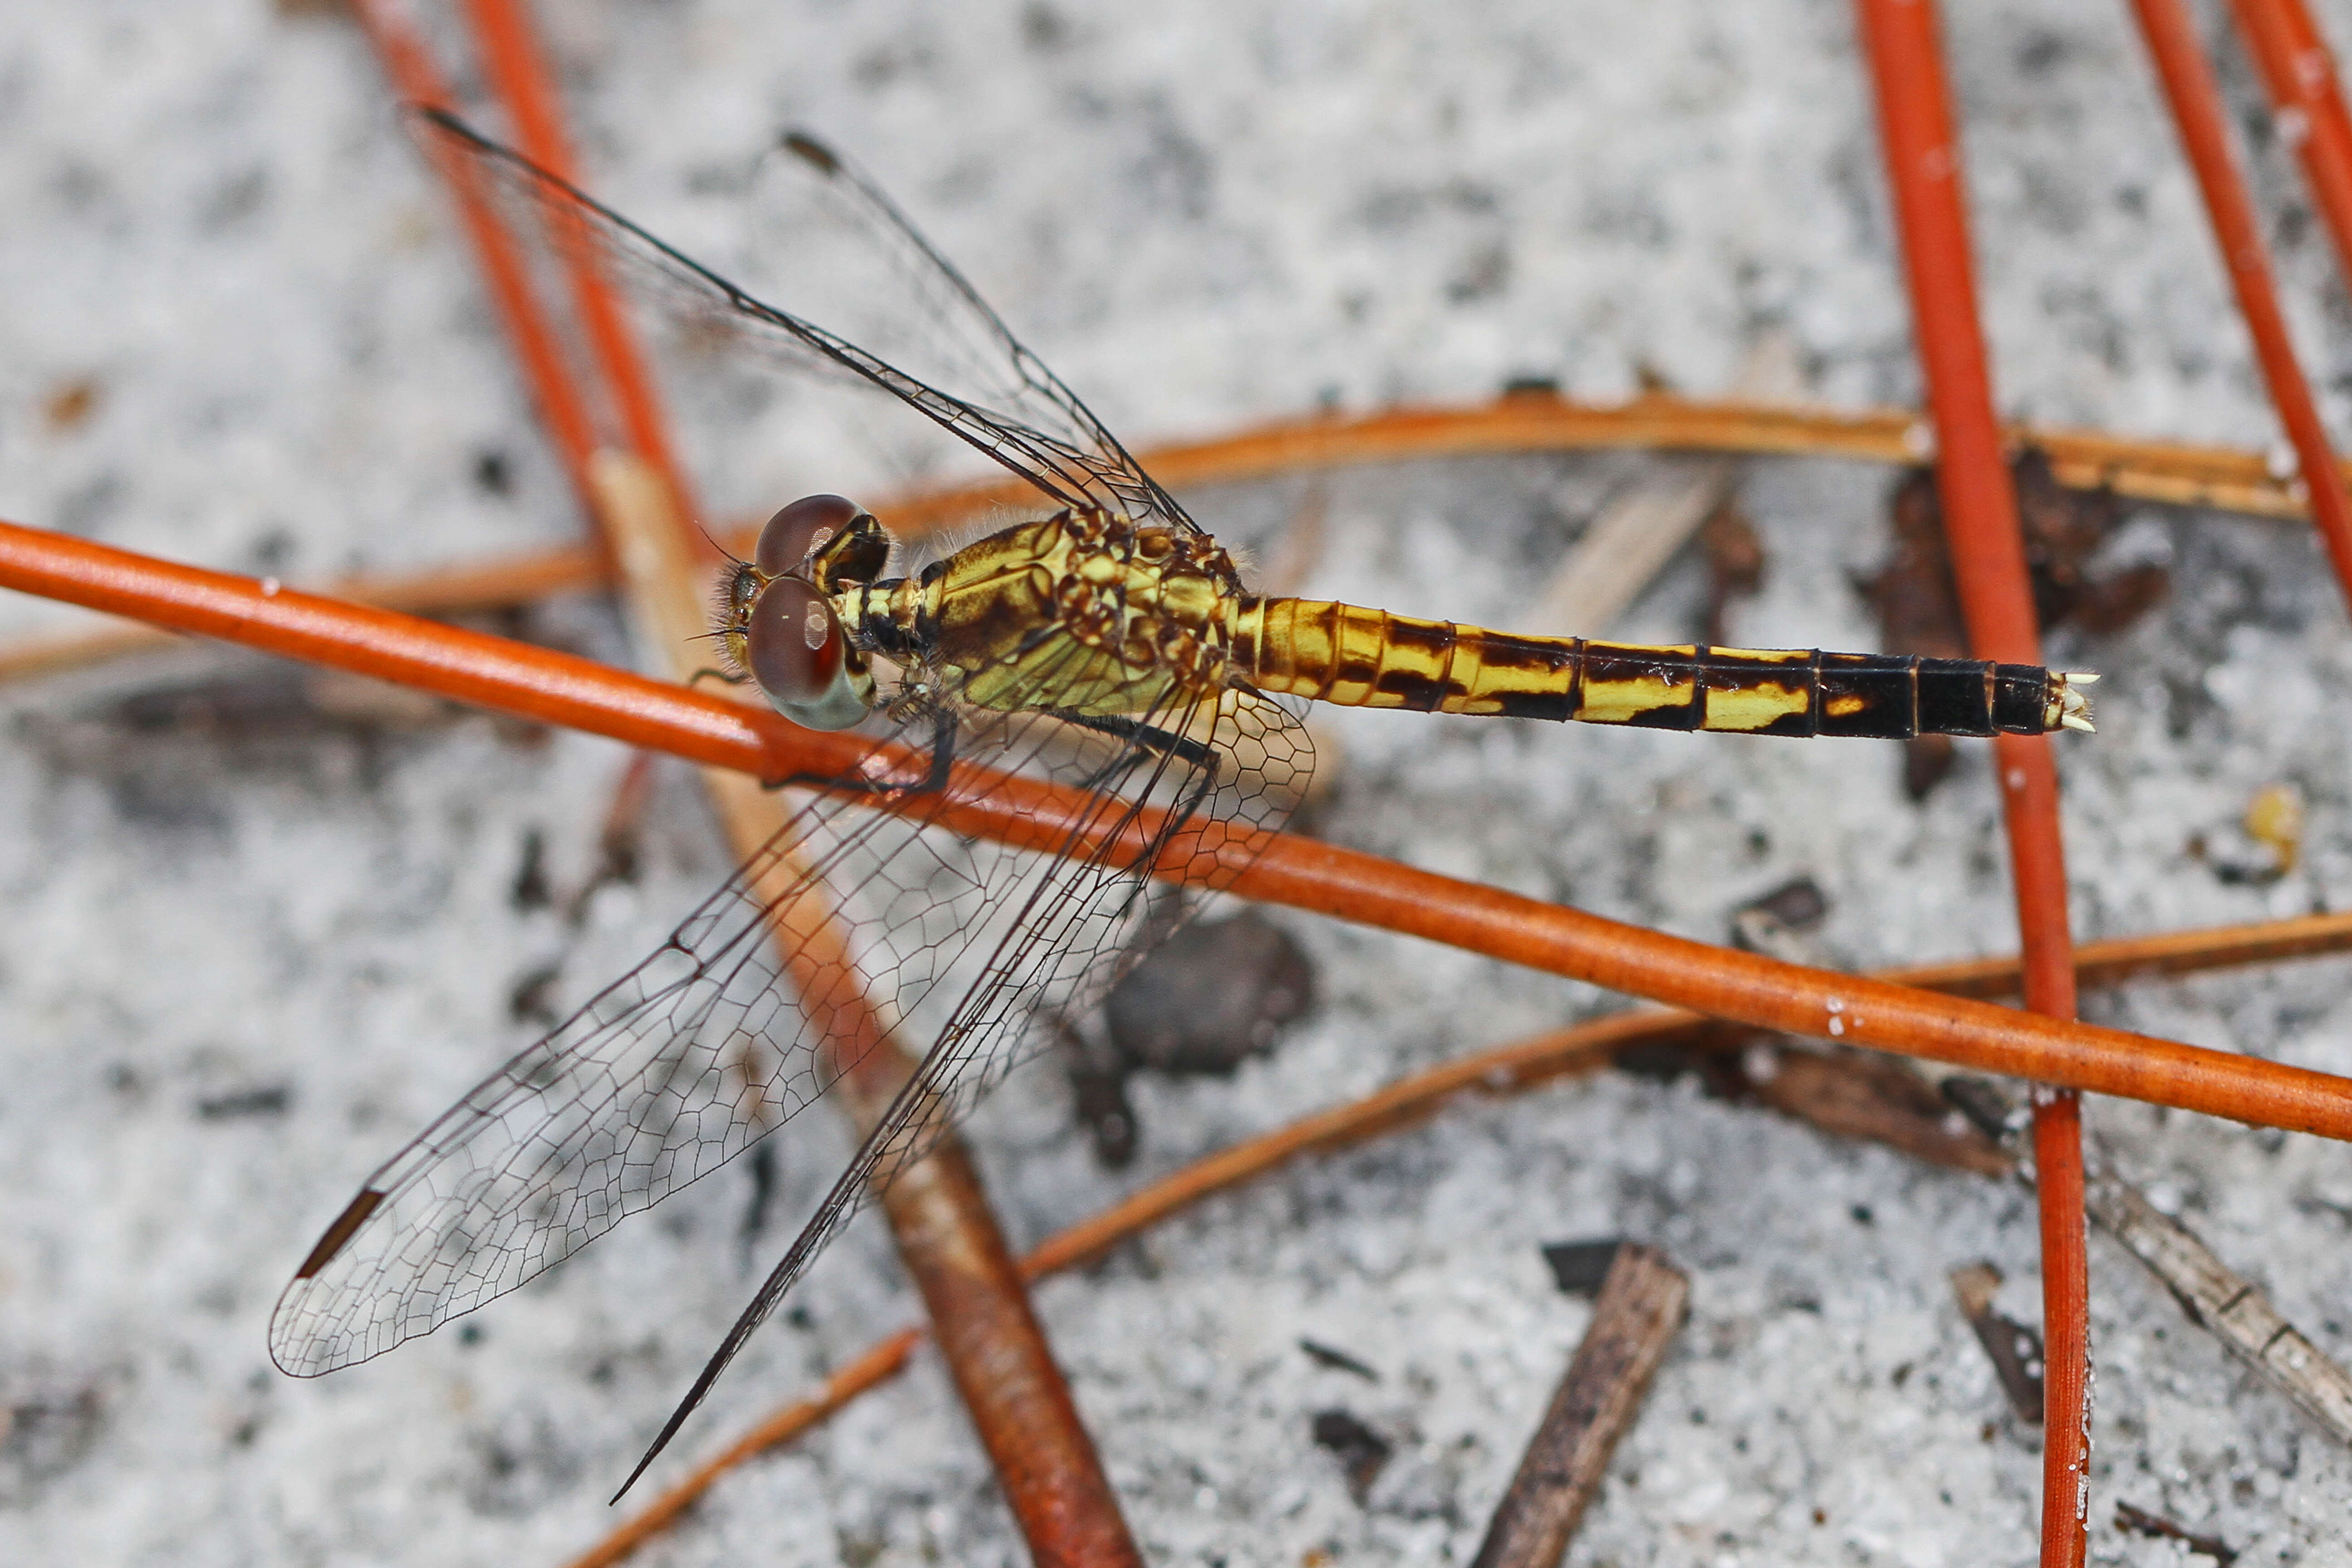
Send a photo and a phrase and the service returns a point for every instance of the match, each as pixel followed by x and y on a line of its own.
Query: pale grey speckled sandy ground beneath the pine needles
pixel 241 965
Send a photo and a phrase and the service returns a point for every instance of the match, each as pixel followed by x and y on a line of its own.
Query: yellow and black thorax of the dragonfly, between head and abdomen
pixel 1078 612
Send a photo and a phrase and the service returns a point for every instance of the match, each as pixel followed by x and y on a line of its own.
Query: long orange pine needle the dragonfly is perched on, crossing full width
pixel 1299 873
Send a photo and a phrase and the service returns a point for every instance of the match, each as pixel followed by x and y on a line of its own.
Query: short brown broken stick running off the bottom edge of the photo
pixel 1638 1313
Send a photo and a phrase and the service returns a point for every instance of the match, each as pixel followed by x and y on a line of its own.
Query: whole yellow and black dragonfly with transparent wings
pixel 1102 655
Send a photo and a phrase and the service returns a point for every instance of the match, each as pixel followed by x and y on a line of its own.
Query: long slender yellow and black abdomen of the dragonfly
pixel 1372 659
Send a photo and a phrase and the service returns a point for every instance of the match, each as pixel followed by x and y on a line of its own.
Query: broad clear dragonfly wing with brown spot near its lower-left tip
pixel 657 1083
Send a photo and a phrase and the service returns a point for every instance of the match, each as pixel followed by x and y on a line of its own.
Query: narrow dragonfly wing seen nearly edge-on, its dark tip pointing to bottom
pixel 1069 927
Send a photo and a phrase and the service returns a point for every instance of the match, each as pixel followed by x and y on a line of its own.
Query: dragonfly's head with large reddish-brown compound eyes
pixel 777 617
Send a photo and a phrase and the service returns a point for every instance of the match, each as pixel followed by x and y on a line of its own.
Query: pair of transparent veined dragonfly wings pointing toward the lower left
pixel 864 916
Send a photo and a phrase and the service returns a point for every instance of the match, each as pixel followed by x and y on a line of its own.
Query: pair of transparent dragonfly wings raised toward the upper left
pixel 864 295
